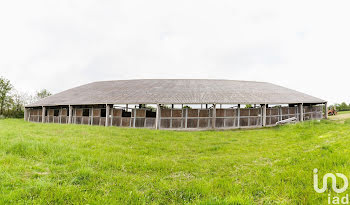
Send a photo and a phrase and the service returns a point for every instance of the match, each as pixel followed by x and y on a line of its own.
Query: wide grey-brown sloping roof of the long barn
pixel 177 91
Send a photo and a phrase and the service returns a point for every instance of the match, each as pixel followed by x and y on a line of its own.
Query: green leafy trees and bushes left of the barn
pixel 12 101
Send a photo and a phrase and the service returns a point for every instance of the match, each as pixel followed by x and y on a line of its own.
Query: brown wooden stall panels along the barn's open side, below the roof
pixel 178 118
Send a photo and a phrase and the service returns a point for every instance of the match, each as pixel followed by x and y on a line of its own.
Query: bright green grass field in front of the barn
pixel 66 164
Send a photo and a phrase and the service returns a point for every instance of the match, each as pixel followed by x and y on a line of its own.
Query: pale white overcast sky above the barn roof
pixel 303 45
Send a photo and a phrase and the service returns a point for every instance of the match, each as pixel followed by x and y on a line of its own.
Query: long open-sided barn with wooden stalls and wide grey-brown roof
pixel 177 104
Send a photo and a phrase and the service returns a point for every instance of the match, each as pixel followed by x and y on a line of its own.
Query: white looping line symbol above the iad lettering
pixel 334 182
